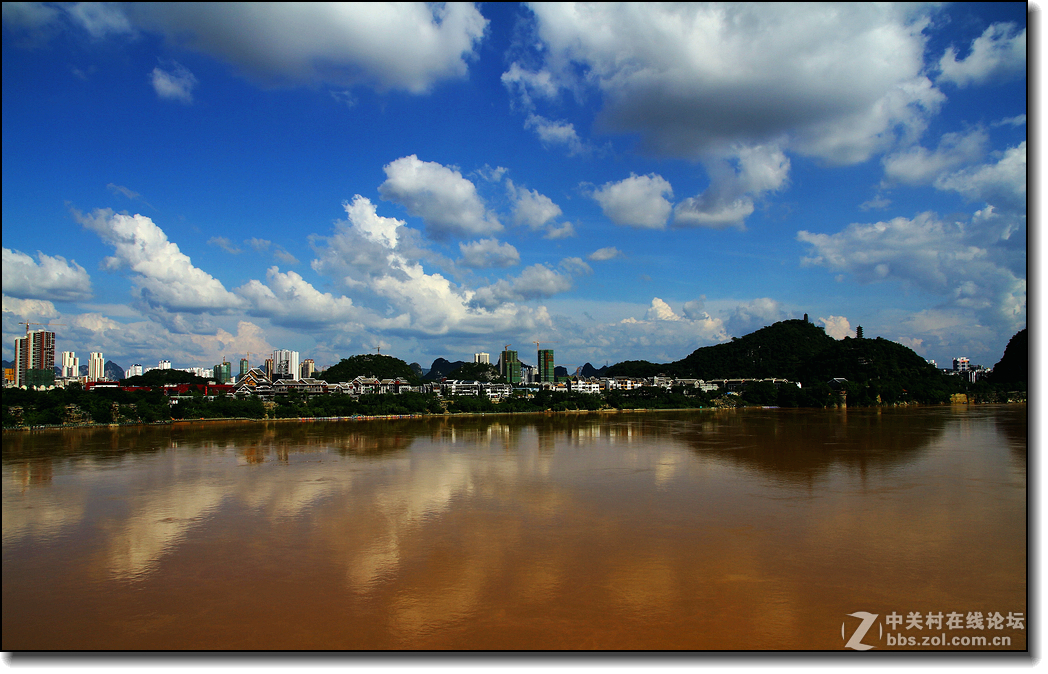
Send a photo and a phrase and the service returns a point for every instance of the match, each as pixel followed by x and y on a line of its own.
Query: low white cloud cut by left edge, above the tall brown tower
pixel 48 278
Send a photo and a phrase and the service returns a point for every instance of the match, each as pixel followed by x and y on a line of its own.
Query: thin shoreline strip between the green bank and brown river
pixel 362 418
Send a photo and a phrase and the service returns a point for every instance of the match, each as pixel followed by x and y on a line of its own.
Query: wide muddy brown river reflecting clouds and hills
pixel 750 530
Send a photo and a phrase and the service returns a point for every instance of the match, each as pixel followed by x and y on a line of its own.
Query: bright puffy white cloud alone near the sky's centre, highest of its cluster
pixel 447 203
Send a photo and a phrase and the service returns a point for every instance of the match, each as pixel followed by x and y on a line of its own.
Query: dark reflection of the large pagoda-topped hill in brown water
pixel 801 446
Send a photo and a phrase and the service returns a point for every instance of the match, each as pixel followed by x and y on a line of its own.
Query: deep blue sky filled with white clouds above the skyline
pixel 193 182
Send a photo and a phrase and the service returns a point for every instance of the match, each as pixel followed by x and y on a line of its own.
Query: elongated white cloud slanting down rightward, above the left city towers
pixel 165 276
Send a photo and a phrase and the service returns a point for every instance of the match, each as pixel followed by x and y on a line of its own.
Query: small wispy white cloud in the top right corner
pixel 999 53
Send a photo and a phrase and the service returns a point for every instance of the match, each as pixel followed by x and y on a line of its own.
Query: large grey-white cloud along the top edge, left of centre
pixel 406 47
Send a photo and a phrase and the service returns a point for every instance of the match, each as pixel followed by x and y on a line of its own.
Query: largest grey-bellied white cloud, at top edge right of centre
pixel 841 82
